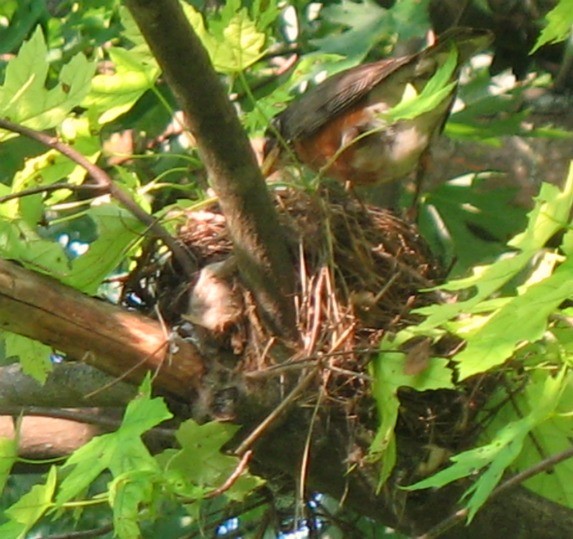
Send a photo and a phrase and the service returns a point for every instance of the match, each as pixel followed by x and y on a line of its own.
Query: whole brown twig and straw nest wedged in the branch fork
pixel 359 271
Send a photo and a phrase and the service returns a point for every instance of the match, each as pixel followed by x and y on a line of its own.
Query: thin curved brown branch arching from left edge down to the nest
pixel 104 182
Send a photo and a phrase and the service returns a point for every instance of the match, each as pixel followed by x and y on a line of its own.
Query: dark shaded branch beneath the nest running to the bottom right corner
pixel 518 514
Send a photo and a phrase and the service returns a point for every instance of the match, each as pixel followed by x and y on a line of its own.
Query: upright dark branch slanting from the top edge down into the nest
pixel 261 252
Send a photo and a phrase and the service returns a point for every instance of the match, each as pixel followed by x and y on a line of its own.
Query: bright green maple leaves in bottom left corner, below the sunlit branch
pixel 140 485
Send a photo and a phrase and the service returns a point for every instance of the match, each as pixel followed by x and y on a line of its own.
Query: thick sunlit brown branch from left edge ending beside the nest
pixel 121 343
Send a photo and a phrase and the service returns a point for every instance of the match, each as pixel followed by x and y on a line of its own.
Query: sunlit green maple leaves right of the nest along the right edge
pixel 513 316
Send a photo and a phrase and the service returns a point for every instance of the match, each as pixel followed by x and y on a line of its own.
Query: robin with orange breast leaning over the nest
pixel 339 127
